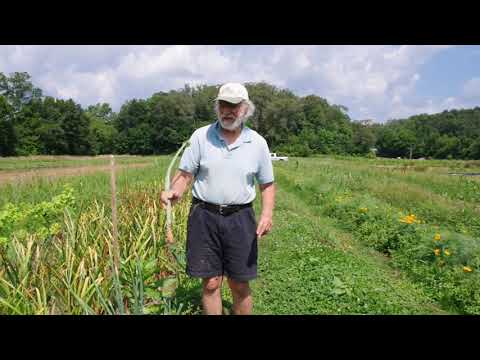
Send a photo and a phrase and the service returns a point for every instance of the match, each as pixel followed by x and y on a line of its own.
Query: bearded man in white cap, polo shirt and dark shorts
pixel 223 159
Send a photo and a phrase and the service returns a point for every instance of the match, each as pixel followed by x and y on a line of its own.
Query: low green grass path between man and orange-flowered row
pixel 307 265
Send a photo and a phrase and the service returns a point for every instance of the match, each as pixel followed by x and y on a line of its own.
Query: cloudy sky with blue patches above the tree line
pixel 376 82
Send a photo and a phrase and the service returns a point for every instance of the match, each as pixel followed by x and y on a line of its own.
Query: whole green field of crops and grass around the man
pixel 351 236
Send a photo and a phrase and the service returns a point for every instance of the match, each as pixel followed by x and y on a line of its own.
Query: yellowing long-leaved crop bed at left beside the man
pixel 66 262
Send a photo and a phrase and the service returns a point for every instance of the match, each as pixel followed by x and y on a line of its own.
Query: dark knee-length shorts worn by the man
pixel 222 245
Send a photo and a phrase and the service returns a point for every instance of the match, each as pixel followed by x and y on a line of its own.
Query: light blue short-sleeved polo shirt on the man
pixel 224 174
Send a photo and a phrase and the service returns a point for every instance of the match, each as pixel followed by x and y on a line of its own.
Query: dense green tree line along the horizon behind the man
pixel 32 124
